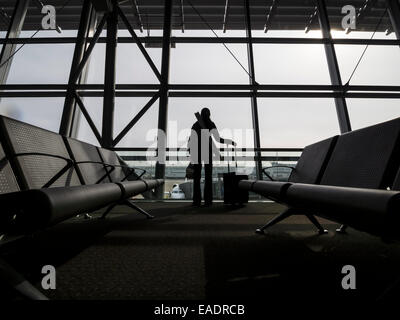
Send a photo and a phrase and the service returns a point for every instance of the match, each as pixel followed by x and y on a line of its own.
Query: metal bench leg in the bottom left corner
pixel 19 283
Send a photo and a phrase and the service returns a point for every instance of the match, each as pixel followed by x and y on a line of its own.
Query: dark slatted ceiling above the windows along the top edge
pixel 219 14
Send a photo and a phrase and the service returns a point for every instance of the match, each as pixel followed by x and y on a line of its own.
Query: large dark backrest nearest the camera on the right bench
pixel 365 158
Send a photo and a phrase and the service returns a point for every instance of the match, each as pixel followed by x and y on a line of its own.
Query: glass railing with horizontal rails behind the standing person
pixel 178 187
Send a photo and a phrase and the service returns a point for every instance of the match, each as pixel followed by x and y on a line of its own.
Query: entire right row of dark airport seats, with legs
pixel 346 182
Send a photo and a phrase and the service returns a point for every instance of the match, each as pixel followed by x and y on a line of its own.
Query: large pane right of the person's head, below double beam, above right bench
pixel 296 123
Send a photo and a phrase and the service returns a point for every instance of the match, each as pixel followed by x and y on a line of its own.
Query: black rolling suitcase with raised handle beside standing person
pixel 232 194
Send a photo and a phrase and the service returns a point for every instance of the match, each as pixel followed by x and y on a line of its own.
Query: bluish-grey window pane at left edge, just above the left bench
pixel 42 112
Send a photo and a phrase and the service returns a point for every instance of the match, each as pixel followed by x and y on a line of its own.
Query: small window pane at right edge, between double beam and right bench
pixel 366 112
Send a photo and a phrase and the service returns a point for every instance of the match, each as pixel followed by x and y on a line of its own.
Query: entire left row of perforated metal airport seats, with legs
pixel 46 178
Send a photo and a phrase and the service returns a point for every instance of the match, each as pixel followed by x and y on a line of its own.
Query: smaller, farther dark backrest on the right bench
pixel 313 162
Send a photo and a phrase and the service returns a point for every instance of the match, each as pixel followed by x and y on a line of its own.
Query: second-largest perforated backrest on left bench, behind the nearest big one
pixel 91 173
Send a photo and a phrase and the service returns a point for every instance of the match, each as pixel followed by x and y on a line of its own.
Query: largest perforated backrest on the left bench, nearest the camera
pixel 34 171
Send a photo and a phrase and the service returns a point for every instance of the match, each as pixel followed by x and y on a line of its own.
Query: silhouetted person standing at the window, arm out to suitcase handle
pixel 209 129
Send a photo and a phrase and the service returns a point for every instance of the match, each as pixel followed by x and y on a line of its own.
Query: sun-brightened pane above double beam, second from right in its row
pixel 291 64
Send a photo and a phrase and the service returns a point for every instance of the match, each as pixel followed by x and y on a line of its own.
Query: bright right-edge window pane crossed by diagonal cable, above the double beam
pixel 379 66
